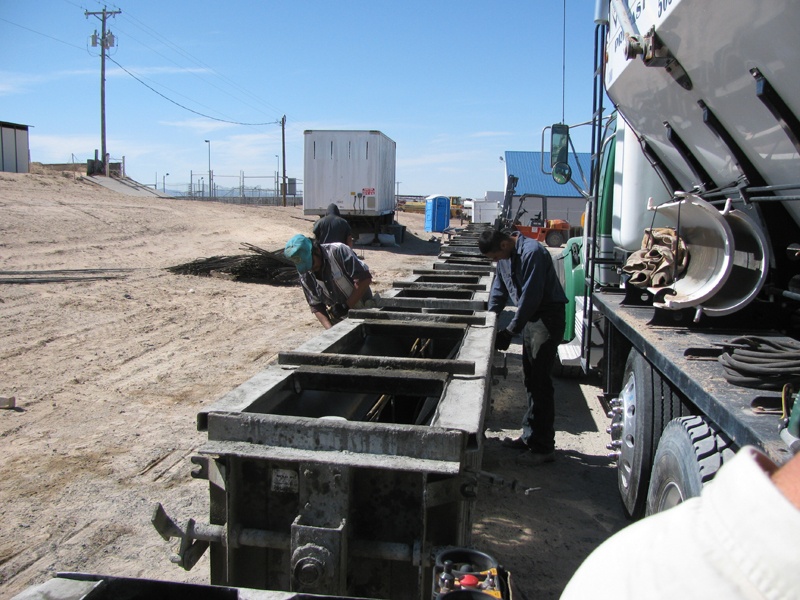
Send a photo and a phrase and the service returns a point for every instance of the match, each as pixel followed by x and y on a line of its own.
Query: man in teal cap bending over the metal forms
pixel 334 279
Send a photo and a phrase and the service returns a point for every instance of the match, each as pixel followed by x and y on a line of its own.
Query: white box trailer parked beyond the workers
pixel 354 170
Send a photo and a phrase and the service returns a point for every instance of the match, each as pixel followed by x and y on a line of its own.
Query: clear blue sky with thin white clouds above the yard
pixel 454 83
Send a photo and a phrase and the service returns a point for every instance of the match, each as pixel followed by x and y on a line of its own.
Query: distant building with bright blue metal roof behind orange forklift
pixel 538 190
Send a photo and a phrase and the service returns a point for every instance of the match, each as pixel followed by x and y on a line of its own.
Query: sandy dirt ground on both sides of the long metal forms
pixel 109 369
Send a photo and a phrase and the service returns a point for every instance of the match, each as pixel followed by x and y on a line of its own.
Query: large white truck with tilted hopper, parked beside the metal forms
pixel 699 148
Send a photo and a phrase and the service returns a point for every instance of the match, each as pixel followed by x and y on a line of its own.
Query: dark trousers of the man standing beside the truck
pixel 538 424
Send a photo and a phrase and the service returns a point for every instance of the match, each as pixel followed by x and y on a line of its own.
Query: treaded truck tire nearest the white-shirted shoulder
pixel 689 455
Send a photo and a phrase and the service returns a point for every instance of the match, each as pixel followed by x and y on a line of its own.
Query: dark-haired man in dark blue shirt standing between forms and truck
pixel 526 276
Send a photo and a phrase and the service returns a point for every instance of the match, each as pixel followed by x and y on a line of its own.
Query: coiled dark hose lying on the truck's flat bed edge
pixel 761 363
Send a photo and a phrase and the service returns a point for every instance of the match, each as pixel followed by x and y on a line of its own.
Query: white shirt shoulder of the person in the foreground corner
pixel 737 540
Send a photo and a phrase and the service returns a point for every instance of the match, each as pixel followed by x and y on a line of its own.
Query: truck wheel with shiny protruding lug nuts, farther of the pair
pixel 647 404
